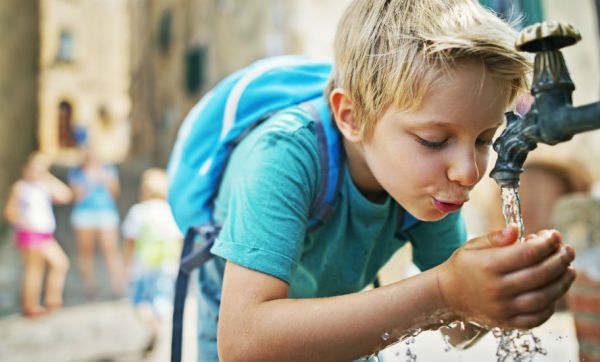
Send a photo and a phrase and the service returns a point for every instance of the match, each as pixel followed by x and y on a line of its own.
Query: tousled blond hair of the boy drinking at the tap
pixel 390 52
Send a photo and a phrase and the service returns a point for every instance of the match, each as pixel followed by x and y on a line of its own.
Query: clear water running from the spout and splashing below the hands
pixel 515 345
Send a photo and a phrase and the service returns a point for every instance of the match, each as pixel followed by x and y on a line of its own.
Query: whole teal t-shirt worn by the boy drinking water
pixel 263 205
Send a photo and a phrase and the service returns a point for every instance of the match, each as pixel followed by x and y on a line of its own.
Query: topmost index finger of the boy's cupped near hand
pixel 524 255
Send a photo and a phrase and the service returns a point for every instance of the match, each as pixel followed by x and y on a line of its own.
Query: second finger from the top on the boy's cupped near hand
pixel 539 275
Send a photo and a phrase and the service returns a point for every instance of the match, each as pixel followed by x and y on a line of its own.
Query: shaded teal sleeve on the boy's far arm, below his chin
pixel 434 242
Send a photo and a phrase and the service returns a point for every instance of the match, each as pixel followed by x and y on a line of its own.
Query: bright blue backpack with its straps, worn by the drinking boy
pixel 216 125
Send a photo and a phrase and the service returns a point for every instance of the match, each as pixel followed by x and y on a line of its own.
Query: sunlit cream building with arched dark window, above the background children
pixel 84 78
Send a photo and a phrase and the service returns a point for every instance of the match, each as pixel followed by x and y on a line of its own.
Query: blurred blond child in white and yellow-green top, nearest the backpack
pixel 151 250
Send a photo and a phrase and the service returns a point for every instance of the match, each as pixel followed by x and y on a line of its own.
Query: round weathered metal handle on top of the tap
pixel 548 35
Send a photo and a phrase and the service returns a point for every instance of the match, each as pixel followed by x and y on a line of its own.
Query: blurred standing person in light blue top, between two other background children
pixel 95 217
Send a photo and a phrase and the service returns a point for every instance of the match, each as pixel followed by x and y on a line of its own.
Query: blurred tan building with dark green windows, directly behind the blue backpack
pixel 181 48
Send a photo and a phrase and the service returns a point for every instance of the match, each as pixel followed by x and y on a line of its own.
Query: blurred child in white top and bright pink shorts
pixel 29 210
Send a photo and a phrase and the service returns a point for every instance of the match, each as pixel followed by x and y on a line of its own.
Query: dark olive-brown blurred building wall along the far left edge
pixel 19 34
